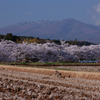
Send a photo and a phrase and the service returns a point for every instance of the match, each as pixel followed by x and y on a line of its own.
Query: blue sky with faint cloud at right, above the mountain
pixel 15 11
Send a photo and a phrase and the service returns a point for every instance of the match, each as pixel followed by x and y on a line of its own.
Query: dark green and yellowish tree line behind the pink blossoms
pixel 30 39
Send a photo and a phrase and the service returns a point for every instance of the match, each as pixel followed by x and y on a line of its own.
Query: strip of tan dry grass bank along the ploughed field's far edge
pixel 72 74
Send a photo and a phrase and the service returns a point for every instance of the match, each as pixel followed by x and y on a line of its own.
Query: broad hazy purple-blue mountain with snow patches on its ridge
pixel 68 29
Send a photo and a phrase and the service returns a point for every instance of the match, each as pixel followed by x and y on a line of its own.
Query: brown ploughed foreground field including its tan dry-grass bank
pixel 19 83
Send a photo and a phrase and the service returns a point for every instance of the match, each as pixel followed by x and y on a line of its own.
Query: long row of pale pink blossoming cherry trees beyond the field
pixel 47 52
